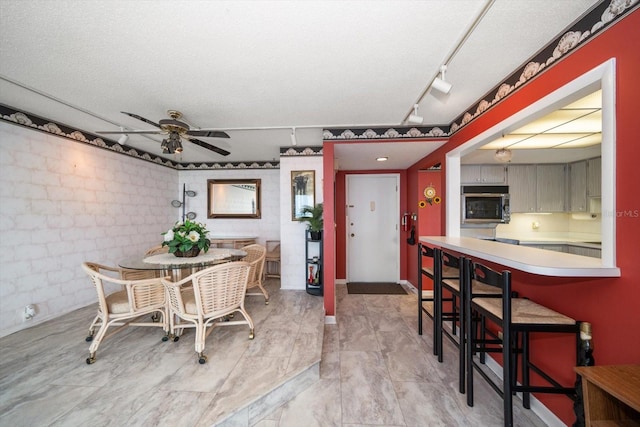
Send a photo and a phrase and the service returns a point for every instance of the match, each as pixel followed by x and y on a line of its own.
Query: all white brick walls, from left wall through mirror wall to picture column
pixel 64 202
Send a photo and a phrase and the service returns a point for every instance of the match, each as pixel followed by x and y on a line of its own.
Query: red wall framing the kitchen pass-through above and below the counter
pixel 612 305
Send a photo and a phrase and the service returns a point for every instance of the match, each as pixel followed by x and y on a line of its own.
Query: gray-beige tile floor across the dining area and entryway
pixel 375 370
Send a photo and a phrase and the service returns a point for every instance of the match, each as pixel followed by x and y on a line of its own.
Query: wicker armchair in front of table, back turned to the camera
pixel 217 293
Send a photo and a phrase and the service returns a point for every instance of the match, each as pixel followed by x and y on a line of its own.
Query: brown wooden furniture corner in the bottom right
pixel 611 395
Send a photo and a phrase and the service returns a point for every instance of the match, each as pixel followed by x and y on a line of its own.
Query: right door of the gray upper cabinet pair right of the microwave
pixel 551 187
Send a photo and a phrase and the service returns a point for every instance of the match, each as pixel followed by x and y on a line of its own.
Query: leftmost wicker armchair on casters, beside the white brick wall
pixel 137 297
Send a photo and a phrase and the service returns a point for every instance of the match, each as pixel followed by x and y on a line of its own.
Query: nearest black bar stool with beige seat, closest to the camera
pixel 517 317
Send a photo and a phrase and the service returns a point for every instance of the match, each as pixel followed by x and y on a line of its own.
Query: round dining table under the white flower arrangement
pixel 176 267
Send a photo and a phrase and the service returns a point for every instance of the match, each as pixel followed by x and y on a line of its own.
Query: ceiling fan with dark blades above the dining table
pixel 175 131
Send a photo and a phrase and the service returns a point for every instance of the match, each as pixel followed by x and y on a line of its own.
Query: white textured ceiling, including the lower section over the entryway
pixel 264 64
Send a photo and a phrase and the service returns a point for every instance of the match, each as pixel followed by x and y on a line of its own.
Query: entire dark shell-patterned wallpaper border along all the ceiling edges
pixel 601 16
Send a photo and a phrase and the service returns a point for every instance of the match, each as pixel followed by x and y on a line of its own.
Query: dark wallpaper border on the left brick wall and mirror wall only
pixel 32 121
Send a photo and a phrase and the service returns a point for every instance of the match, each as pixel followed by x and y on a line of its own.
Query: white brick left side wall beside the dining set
pixel 62 203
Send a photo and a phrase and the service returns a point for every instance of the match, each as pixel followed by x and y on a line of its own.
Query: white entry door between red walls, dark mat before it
pixel 373 235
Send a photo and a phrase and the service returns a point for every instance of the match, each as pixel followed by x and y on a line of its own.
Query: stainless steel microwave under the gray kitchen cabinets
pixel 485 204
